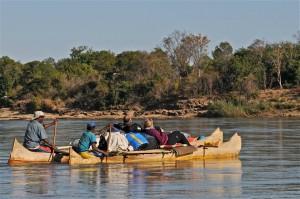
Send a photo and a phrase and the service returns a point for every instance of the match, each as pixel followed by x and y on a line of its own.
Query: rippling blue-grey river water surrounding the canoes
pixel 268 166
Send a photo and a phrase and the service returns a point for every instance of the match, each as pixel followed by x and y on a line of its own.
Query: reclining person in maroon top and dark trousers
pixel 162 137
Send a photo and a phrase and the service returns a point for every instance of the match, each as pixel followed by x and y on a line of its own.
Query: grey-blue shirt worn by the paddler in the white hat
pixel 35 133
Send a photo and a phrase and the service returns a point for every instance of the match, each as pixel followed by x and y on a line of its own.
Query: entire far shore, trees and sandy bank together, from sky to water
pixel 178 79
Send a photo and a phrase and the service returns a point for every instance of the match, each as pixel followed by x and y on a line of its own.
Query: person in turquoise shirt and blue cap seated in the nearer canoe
pixel 87 140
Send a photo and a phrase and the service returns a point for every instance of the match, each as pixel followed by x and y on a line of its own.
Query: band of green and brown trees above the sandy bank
pixel 182 68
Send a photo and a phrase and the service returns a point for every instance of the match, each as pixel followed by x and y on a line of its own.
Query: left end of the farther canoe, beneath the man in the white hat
pixel 20 155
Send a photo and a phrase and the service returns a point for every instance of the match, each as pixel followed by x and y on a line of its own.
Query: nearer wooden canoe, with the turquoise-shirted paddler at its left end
pixel 229 149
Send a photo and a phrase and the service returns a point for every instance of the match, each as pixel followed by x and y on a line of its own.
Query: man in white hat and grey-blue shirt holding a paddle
pixel 36 138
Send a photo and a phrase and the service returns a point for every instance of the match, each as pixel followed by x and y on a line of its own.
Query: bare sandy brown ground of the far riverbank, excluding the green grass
pixel 276 103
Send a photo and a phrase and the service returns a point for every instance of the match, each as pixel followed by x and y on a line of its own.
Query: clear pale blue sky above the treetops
pixel 37 29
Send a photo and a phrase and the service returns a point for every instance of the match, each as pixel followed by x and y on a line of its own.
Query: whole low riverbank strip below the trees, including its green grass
pixel 267 103
